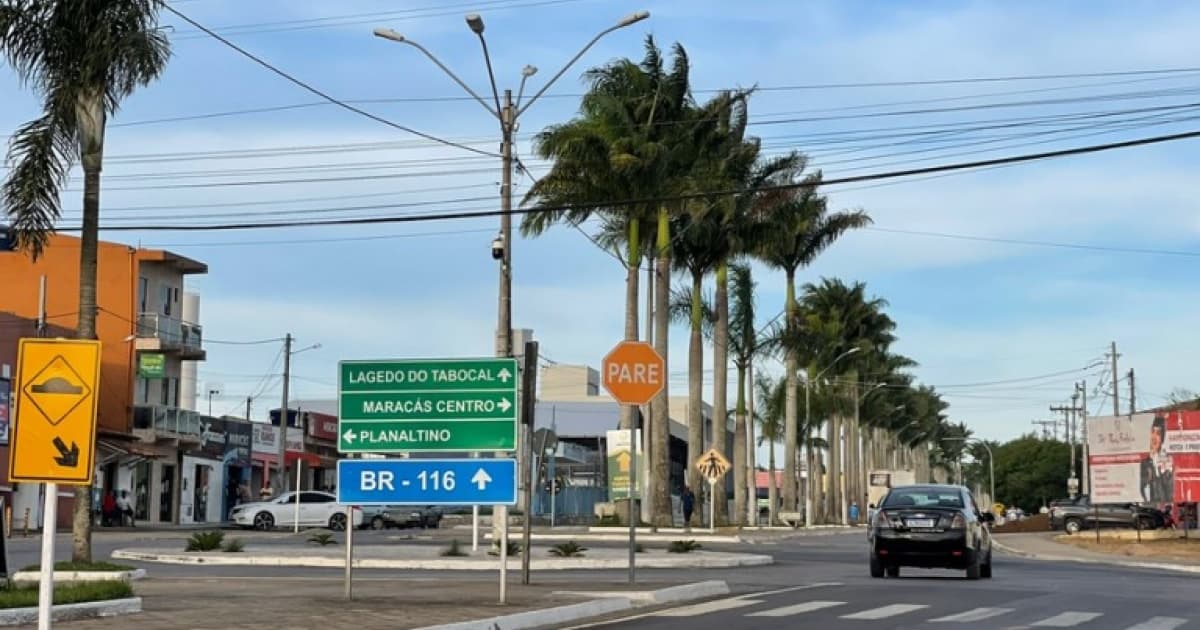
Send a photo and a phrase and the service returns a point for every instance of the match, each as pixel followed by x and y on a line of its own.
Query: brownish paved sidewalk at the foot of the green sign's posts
pixel 299 603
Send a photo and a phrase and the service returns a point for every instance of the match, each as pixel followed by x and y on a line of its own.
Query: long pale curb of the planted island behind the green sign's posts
pixel 697 560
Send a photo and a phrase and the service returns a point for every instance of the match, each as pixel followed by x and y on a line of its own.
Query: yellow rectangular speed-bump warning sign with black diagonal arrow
pixel 55 428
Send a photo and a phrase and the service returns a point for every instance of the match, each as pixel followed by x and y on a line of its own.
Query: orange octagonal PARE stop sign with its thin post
pixel 633 375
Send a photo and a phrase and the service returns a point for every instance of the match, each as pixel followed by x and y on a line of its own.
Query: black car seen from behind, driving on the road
pixel 932 527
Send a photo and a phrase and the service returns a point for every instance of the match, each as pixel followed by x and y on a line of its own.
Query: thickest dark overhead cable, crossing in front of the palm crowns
pixel 704 195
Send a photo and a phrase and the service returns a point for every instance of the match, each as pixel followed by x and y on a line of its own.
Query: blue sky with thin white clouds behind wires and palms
pixel 969 311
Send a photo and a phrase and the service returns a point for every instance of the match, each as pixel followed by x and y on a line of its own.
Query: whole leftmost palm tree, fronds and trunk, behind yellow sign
pixel 83 58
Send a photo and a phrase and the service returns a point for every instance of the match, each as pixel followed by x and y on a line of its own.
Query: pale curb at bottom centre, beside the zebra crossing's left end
pixel 608 604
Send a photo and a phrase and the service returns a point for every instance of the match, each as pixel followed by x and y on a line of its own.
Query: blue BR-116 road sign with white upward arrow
pixel 428 482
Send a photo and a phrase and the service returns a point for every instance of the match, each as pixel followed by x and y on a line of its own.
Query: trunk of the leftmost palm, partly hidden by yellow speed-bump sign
pixel 89 248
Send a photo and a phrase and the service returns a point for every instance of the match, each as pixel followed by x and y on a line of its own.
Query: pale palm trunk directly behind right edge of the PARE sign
pixel 661 410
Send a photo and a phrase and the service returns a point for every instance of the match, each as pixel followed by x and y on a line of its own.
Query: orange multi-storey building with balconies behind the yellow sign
pixel 146 340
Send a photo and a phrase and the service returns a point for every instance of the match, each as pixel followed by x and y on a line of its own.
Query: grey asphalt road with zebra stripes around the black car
pixel 825 584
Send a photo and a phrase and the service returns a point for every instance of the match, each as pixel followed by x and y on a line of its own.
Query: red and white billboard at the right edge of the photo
pixel 1145 458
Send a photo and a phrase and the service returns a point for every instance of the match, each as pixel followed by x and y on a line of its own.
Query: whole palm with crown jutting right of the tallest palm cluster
pixel 799 230
